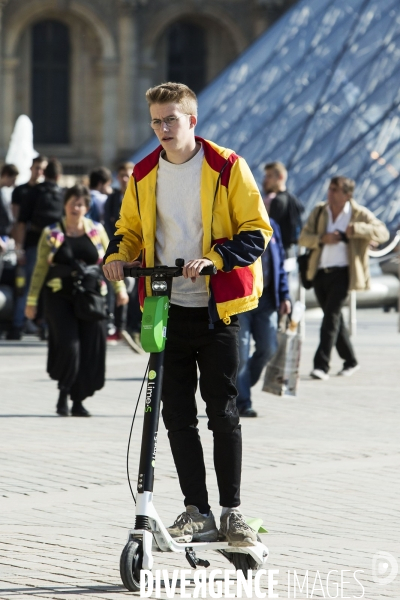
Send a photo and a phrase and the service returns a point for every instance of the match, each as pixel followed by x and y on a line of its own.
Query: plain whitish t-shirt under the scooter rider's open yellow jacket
pixel 179 225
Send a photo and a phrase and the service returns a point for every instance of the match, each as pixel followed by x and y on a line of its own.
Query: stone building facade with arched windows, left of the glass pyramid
pixel 80 68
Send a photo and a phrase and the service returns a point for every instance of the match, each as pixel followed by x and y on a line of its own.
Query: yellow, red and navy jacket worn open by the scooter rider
pixel 235 225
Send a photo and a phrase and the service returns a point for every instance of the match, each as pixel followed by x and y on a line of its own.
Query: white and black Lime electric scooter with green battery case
pixel 149 532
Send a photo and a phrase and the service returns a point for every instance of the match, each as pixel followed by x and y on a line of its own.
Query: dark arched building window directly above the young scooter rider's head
pixel 187 58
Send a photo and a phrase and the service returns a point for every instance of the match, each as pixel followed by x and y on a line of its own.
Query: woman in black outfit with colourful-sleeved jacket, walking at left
pixel 76 347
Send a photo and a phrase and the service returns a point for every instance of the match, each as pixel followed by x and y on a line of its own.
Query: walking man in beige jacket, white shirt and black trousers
pixel 338 232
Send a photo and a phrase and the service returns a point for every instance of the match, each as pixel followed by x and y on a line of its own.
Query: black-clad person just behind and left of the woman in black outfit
pixel 37 210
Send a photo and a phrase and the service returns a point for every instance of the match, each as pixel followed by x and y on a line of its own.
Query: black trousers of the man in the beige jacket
pixel 331 291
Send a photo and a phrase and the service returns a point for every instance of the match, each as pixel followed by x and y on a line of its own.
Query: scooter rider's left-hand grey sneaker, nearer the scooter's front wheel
pixel 191 526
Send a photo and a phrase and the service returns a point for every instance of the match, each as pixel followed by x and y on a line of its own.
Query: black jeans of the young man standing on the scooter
pixel 191 344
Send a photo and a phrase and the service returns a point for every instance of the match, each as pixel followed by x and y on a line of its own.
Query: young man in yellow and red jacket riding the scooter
pixel 191 198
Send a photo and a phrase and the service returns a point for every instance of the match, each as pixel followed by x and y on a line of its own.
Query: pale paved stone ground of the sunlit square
pixel 321 470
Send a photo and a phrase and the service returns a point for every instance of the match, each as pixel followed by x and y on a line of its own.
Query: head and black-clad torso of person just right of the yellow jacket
pixel 284 208
